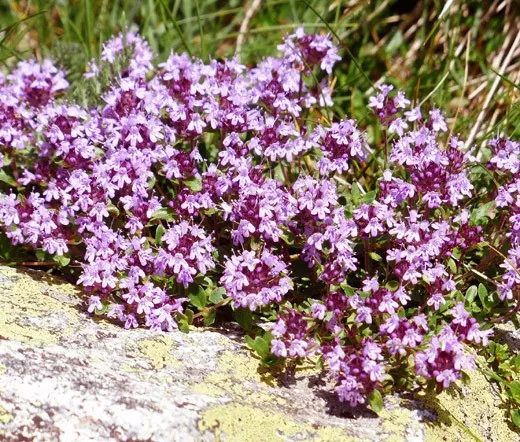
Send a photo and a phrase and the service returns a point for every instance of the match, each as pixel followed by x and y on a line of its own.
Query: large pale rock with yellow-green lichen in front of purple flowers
pixel 65 376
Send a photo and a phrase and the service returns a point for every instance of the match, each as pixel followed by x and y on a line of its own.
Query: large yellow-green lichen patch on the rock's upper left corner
pixel 26 303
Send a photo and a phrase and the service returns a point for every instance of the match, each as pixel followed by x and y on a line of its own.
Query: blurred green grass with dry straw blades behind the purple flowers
pixel 446 57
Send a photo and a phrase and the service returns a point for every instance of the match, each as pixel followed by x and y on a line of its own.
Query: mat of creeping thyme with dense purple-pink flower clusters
pixel 195 193
